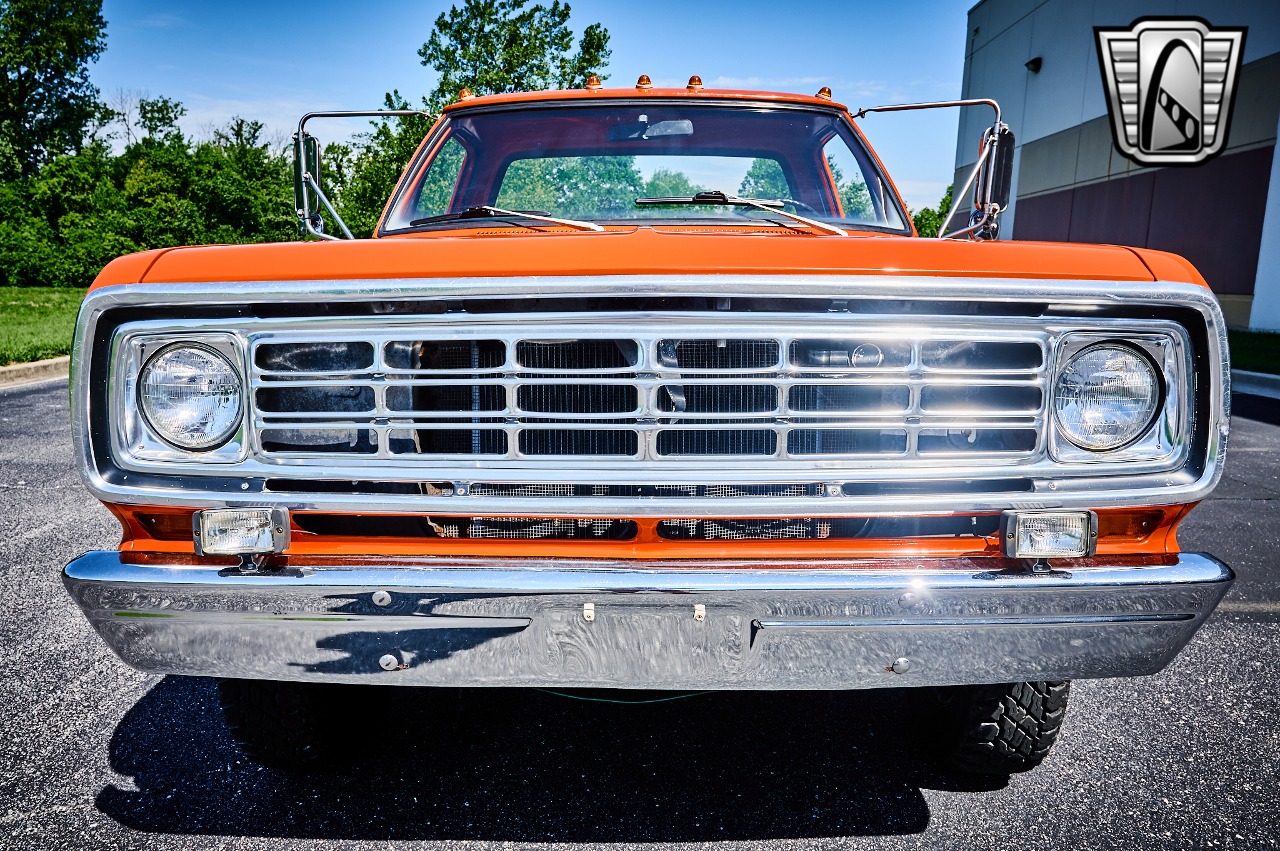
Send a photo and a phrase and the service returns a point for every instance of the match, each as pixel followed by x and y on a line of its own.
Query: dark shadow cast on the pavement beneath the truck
pixel 523 766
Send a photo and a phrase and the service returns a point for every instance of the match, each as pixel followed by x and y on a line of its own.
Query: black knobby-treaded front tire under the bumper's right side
pixel 1004 729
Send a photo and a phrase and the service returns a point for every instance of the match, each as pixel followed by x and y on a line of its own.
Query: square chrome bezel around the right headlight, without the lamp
pixel 1165 436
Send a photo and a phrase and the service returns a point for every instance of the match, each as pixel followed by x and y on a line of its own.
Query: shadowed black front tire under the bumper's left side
pixel 292 726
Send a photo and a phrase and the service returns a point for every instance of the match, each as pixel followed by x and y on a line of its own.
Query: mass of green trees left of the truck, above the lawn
pixel 70 204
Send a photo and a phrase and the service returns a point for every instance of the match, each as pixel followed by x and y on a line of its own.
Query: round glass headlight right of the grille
pixel 1107 397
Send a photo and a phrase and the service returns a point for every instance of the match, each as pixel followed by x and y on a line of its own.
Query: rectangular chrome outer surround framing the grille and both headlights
pixel 1086 493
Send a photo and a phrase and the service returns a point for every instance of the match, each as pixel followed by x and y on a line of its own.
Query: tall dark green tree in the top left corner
pixel 47 100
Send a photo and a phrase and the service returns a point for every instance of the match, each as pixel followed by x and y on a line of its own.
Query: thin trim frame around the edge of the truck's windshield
pixel 441 132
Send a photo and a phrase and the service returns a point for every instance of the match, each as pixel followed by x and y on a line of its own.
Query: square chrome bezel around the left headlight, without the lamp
pixel 132 433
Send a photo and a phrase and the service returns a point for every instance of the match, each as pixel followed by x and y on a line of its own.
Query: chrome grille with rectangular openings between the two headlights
pixel 899 392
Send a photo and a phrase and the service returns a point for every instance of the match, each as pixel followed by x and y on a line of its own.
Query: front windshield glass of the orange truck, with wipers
pixel 609 164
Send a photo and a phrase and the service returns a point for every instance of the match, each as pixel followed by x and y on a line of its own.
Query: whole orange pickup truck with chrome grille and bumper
pixel 650 390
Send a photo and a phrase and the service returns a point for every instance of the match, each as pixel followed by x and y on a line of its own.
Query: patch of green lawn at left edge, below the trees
pixel 36 323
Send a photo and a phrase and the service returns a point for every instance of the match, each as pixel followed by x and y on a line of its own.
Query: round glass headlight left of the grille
pixel 191 396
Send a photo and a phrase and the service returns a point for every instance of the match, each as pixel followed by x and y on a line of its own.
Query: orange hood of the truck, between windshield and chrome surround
pixel 641 251
